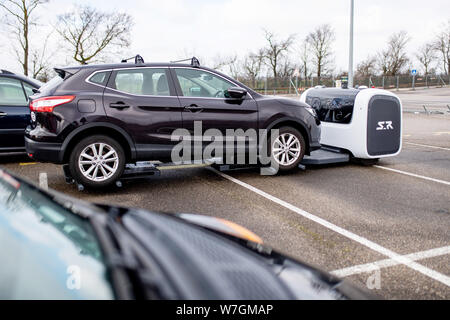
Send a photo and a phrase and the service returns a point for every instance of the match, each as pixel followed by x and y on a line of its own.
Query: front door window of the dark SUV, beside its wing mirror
pixel 199 83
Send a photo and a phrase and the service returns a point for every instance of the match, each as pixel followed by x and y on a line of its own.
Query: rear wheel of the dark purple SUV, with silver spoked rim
pixel 97 161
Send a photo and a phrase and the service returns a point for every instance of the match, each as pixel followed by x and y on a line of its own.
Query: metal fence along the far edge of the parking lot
pixel 297 85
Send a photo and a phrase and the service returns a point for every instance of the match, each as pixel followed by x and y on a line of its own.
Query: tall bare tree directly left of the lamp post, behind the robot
pixel 321 41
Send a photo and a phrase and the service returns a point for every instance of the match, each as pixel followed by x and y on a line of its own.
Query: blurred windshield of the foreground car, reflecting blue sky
pixel 47 251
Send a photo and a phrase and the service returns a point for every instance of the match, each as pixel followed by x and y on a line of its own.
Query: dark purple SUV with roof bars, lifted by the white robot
pixel 97 118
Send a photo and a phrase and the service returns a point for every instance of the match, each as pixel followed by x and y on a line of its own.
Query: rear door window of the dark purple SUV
pixel 152 82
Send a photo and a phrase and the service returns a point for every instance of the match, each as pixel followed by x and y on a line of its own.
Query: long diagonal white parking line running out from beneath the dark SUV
pixel 348 234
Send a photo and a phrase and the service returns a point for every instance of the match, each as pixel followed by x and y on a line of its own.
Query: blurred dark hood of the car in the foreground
pixel 220 259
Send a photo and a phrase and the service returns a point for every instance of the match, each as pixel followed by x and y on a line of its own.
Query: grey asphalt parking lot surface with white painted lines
pixel 389 222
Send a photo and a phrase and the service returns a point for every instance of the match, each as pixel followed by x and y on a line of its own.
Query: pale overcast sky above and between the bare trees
pixel 169 29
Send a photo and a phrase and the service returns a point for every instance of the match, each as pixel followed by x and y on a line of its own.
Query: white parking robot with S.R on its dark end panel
pixel 361 124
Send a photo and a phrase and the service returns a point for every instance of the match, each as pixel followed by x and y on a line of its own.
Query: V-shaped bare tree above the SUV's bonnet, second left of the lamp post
pixel 276 51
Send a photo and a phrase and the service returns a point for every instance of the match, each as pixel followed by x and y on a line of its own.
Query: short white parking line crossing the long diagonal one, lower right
pixel 370 267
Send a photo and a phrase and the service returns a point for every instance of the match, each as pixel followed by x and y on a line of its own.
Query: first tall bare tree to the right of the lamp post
pixel 393 59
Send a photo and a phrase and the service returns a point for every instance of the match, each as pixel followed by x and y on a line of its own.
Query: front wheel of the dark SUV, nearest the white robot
pixel 287 149
